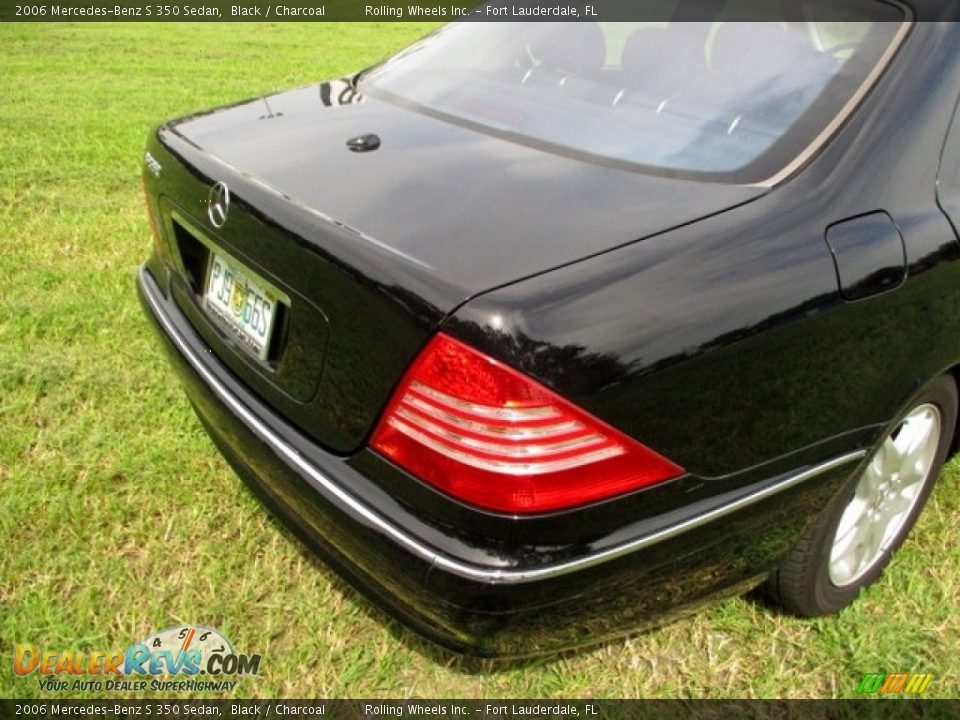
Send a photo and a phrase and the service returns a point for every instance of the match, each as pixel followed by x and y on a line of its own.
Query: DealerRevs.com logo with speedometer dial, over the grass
pixel 188 651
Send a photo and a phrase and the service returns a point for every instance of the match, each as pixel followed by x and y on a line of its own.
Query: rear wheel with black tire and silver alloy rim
pixel 852 541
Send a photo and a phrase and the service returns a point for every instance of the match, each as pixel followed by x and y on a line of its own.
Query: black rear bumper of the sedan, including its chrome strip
pixel 495 597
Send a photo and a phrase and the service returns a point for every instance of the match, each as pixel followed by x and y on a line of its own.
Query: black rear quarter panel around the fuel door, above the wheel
pixel 726 344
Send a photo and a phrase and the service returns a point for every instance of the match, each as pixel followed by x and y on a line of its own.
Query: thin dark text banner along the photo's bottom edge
pixel 487 709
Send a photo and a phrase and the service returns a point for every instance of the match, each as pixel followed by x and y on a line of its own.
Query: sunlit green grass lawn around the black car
pixel 118 517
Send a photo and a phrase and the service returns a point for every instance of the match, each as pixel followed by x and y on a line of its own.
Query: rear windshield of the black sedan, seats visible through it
pixel 720 100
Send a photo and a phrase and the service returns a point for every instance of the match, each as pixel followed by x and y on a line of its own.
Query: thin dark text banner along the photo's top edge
pixel 451 10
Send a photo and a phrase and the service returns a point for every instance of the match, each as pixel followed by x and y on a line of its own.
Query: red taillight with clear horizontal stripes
pixel 492 437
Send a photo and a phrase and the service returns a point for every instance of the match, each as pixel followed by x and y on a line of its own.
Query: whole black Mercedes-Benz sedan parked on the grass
pixel 539 332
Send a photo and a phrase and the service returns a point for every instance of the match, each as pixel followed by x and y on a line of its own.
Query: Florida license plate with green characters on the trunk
pixel 242 302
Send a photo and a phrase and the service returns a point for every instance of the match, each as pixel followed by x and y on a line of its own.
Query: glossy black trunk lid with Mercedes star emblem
pixel 373 249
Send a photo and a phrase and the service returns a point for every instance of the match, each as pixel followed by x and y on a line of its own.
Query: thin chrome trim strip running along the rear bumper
pixel 503 576
